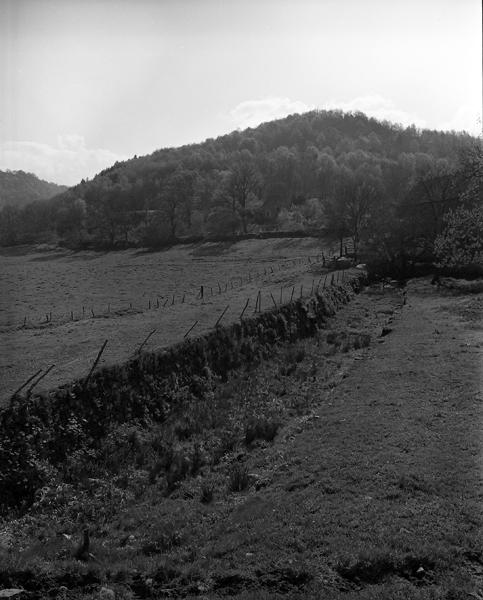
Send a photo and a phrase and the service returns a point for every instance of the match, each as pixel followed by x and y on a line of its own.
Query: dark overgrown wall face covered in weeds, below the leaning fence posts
pixel 39 432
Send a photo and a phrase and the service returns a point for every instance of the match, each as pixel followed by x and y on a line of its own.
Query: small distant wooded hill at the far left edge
pixel 18 188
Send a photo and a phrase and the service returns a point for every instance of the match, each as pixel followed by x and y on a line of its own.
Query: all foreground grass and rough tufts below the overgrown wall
pixel 332 470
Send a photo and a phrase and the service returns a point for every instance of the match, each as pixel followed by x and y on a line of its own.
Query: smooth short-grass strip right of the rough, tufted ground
pixel 379 496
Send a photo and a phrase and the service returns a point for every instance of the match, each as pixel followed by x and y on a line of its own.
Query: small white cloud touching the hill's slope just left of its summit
pixel 251 113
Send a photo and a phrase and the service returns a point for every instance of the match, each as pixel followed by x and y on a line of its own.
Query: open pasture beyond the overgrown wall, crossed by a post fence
pixel 57 308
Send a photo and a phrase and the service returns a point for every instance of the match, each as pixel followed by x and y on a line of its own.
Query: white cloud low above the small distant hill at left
pixel 67 163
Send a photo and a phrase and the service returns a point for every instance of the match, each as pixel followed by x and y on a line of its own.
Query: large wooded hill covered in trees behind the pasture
pixel 385 186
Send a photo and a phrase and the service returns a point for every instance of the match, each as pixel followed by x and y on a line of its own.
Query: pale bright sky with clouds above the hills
pixel 84 83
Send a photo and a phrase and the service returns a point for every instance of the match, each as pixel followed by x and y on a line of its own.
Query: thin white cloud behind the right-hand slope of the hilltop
pixel 375 105
